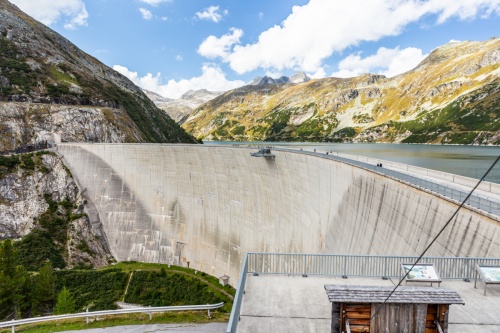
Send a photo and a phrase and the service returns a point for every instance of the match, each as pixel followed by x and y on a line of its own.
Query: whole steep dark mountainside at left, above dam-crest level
pixel 38 66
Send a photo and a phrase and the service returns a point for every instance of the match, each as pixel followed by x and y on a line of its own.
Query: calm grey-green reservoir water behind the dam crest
pixel 469 161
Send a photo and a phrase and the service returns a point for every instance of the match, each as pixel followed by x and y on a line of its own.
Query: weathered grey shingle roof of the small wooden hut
pixel 376 294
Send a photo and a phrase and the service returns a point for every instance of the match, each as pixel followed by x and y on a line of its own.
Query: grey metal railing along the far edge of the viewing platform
pixel 360 265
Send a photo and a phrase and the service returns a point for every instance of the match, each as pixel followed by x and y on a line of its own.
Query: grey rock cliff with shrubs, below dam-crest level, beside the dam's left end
pixel 38 199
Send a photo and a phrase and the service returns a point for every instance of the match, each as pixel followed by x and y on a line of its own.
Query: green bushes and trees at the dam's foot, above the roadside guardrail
pixel 25 293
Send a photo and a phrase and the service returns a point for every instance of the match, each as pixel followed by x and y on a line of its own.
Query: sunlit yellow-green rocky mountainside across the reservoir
pixel 453 96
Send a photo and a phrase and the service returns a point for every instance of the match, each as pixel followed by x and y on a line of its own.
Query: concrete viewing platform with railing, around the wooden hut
pixel 272 300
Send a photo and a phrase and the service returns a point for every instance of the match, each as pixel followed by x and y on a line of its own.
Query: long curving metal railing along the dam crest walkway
pixel 486 204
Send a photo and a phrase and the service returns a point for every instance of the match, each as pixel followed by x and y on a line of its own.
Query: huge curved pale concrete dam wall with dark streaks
pixel 205 206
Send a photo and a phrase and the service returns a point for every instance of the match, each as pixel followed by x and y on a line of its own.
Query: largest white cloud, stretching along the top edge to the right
pixel 313 32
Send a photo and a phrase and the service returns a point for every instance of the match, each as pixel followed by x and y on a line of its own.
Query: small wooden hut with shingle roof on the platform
pixel 409 309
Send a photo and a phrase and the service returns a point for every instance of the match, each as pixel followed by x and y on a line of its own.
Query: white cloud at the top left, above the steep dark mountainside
pixel 50 11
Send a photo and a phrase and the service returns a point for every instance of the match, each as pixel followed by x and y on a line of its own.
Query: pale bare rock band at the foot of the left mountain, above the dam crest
pixel 27 123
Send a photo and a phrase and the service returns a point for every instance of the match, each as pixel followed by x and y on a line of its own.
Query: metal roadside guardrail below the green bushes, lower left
pixel 150 311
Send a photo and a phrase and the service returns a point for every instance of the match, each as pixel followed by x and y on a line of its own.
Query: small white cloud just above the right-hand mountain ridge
pixel 388 62
